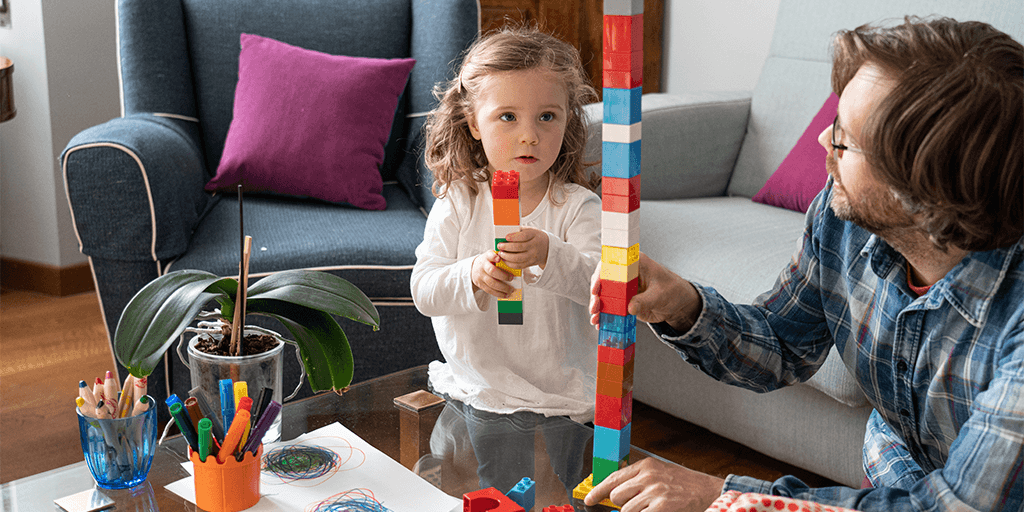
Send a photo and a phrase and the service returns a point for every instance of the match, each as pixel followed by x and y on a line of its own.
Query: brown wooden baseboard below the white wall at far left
pixel 50 280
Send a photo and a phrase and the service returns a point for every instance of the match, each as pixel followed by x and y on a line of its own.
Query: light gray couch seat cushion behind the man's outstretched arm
pixel 739 248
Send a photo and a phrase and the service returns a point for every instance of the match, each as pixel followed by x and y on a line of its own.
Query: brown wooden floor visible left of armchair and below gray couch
pixel 49 345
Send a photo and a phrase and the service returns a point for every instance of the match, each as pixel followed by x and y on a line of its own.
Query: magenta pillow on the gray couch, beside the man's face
pixel 802 175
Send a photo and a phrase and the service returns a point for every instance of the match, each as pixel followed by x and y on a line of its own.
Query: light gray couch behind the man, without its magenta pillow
pixel 704 157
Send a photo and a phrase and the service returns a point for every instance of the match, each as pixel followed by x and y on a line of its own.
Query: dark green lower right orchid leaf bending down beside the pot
pixel 323 346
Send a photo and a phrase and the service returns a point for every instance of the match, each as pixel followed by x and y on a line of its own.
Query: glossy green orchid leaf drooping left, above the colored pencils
pixel 159 313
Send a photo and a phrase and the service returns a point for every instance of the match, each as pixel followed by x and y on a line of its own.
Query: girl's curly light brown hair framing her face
pixel 453 154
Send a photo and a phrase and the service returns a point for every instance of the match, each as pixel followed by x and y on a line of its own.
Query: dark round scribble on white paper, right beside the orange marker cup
pixel 311 463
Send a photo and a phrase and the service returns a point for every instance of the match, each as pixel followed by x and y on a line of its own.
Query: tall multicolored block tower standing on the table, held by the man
pixel 623 72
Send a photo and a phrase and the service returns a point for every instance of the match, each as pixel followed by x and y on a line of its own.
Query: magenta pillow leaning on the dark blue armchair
pixel 311 124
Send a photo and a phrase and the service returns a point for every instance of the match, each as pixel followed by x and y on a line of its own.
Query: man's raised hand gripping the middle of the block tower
pixel 662 296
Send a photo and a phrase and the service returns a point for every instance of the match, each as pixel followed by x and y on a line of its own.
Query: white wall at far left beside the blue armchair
pixel 65 81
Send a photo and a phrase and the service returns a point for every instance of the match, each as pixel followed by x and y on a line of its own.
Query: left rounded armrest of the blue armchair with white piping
pixel 136 188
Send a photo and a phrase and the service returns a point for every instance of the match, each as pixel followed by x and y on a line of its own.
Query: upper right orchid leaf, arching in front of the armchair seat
pixel 321 291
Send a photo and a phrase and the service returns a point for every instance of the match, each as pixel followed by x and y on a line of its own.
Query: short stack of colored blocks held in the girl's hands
pixel 505 194
